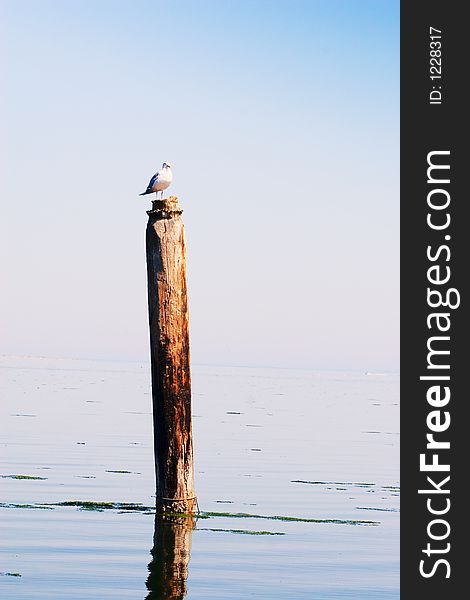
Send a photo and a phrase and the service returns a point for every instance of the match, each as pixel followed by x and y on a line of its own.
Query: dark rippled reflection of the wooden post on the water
pixel 170 558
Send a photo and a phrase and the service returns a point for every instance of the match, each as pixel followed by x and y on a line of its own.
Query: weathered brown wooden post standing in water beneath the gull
pixel 169 352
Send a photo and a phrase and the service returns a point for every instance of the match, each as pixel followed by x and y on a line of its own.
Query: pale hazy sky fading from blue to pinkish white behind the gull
pixel 280 119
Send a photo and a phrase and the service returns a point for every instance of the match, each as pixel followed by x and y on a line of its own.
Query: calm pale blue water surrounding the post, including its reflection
pixel 268 442
